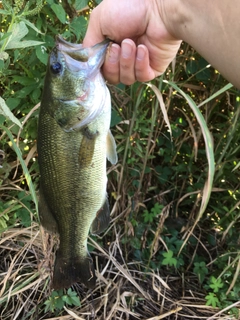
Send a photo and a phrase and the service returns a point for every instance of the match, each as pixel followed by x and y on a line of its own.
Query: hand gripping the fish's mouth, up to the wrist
pixel 144 47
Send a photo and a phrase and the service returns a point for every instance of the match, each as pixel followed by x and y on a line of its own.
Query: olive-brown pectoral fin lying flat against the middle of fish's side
pixel 87 147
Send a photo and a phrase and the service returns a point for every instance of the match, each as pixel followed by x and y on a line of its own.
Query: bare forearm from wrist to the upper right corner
pixel 212 27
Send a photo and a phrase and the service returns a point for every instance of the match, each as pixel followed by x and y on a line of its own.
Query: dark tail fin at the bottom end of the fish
pixel 72 270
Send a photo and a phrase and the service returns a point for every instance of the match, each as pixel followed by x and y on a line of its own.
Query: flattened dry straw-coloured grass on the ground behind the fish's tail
pixel 123 291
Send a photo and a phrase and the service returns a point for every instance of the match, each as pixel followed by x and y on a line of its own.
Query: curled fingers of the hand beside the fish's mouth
pixel 127 63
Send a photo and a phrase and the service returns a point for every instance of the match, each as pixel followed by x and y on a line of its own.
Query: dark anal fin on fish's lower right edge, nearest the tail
pixel 101 222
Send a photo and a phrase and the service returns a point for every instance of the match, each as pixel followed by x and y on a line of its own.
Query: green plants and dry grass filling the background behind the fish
pixel 172 248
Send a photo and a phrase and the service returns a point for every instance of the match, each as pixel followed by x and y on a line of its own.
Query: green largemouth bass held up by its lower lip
pixel 74 143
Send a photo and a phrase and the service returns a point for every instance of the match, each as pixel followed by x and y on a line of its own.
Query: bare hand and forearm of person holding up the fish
pixel 148 33
